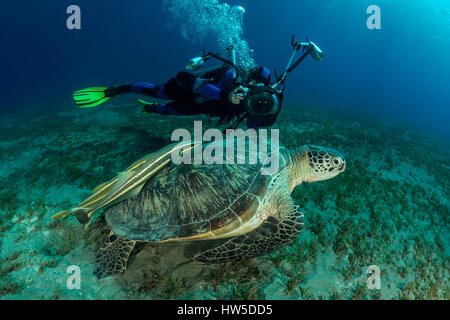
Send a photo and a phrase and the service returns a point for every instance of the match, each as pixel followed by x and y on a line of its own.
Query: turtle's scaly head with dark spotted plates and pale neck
pixel 313 163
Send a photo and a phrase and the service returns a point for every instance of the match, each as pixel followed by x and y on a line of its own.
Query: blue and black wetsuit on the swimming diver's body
pixel 196 95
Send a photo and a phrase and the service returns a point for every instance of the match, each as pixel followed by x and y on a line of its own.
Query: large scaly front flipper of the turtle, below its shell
pixel 270 236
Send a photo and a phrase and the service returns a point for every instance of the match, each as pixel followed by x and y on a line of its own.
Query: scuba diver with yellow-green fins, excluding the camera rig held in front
pixel 215 94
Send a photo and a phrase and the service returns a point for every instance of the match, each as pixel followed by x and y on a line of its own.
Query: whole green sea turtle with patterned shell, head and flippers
pixel 250 210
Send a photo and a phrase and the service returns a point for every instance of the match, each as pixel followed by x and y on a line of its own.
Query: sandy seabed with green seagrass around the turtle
pixel 390 208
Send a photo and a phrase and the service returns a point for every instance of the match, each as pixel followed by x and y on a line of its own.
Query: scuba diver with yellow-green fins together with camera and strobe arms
pixel 227 91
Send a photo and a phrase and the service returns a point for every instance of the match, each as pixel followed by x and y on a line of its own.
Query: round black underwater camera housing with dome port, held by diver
pixel 263 104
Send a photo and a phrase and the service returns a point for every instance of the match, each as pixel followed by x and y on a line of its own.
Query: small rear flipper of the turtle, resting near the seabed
pixel 112 258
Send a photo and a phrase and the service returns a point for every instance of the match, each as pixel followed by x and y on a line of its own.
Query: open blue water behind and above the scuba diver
pixel 400 73
